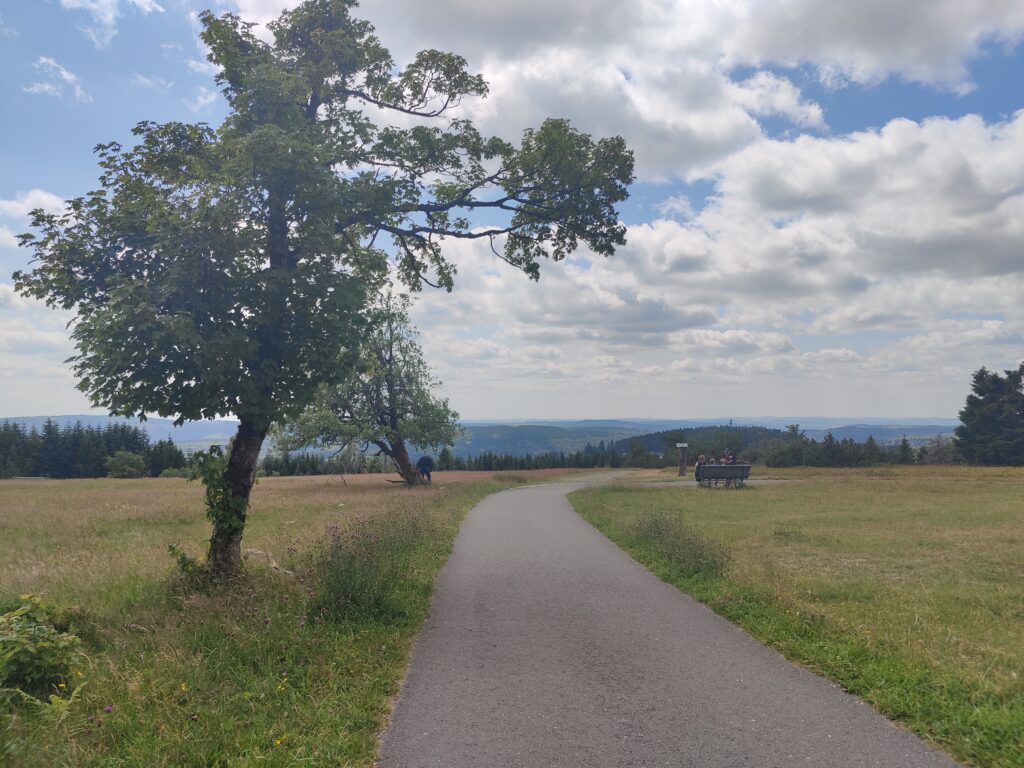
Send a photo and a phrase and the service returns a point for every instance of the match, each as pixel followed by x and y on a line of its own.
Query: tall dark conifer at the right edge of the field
pixel 993 420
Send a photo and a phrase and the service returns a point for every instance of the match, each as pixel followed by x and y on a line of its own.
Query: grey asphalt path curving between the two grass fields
pixel 548 647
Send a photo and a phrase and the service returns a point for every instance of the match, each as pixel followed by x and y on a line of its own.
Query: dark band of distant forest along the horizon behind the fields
pixel 125 451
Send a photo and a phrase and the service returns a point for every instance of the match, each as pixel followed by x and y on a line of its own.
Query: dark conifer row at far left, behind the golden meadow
pixel 77 451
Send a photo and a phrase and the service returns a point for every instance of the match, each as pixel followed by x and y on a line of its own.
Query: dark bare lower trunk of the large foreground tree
pixel 230 517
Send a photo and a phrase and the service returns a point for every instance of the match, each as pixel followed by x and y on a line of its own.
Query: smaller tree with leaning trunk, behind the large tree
pixel 389 401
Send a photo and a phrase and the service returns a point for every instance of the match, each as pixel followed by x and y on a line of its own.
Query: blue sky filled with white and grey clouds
pixel 828 221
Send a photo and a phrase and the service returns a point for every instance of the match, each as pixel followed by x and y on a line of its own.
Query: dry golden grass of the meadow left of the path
pixel 72 539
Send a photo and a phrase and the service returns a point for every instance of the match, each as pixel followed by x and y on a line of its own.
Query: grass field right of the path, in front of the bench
pixel 905 585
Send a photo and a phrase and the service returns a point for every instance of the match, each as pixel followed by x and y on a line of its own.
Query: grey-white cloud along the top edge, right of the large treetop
pixel 661 73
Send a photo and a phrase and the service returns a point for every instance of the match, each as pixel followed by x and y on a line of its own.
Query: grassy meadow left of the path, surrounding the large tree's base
pixel 280 669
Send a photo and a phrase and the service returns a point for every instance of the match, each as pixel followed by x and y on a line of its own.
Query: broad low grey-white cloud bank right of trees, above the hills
pixel 911 234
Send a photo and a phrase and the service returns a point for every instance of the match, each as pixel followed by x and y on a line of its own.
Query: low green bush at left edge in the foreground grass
pixel 37 656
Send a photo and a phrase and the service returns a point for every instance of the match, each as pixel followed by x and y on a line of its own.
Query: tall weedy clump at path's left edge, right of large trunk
pixel 364 569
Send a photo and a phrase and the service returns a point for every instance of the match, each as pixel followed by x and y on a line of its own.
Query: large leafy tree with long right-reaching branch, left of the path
pixel 224 271
